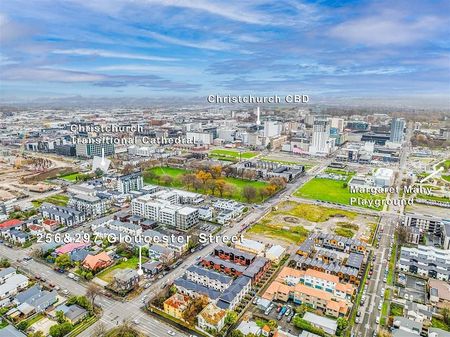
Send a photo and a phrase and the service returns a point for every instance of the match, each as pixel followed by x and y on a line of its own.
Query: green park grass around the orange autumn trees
pixel 235 190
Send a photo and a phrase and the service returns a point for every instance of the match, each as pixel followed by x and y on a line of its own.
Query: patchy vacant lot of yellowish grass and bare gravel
pixel 291 222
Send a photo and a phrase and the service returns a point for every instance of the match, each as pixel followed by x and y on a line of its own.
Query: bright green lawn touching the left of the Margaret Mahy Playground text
pixel 334 191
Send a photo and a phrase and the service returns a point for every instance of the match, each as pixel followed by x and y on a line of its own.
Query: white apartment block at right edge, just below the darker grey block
pixel 427 261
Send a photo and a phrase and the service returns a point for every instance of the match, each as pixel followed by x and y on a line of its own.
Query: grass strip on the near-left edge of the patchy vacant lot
pixel 295 234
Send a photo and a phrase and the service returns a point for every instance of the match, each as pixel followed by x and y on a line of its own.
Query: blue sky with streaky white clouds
pixel 157 48
